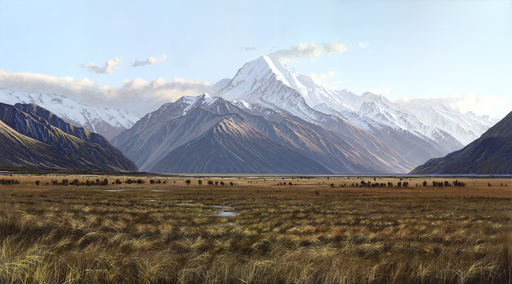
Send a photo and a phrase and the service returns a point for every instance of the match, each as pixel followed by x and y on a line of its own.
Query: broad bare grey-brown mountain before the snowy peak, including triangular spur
pixel 198 128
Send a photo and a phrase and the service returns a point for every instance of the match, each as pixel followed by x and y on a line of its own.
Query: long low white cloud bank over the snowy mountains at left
pixel 136 96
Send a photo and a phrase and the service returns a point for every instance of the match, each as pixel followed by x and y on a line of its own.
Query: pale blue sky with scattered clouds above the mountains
pixel 156 51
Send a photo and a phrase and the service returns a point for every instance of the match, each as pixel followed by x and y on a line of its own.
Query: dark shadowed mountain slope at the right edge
pixel 489 154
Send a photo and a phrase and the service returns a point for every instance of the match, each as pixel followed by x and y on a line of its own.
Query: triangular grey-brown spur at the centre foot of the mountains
pixel 234 146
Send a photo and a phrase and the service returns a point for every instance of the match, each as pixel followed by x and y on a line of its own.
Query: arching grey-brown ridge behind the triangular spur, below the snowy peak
pixel 175 124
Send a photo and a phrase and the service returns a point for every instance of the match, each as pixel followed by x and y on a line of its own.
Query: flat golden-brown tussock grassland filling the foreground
pixel 317 230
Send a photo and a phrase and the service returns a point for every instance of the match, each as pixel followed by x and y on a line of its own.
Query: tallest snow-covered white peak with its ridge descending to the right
pixel 269 84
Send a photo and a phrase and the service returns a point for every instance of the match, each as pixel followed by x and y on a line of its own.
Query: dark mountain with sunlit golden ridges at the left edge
pixel 34 137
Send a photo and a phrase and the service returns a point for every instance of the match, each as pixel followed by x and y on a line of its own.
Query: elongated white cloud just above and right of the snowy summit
pixel 308 50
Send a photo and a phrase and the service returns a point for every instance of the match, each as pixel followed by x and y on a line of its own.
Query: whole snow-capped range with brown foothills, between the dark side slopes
pixel 270 119
